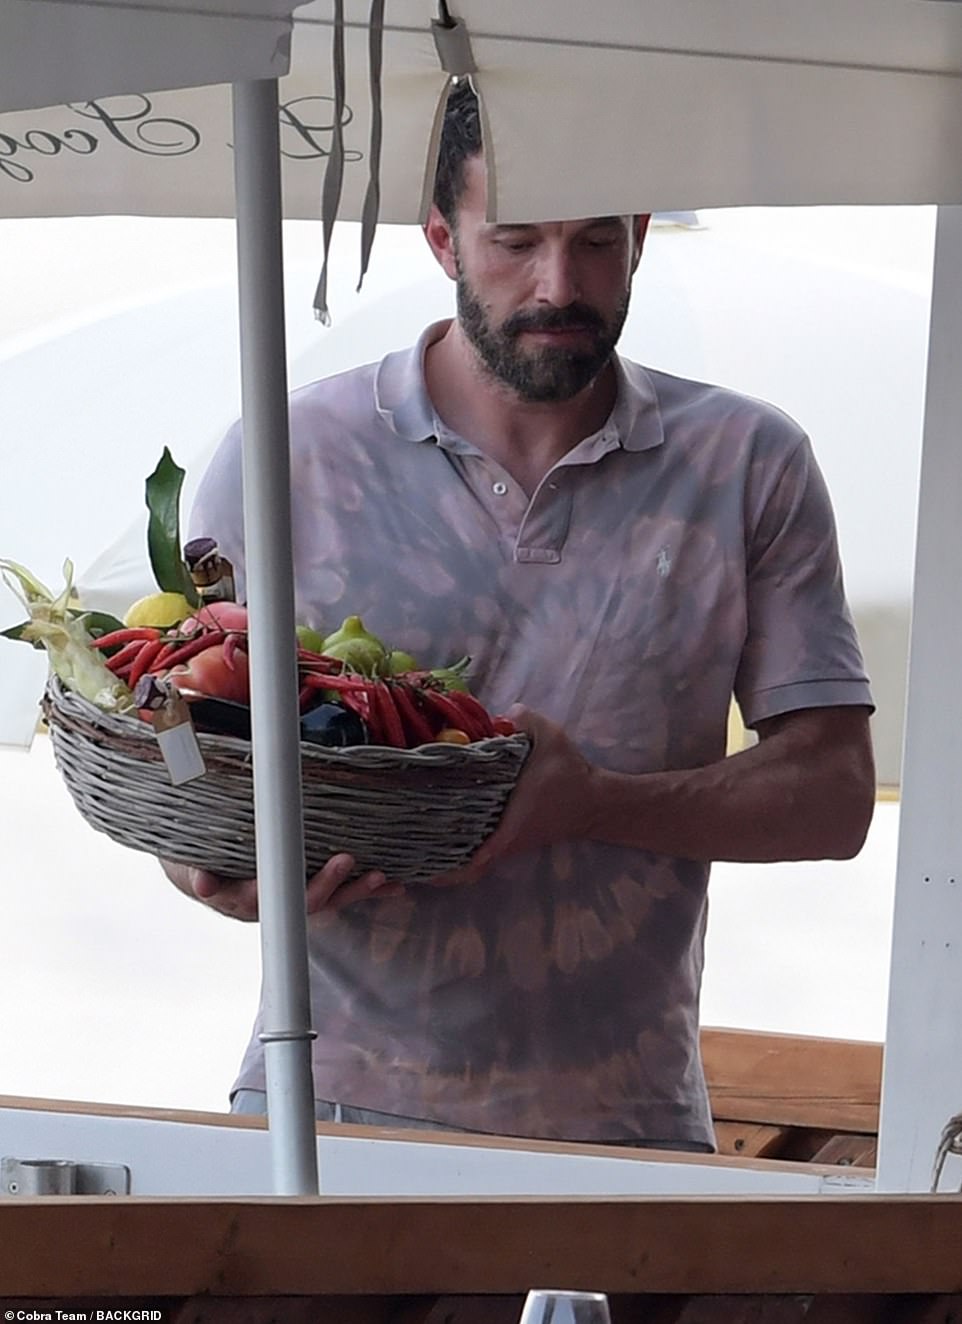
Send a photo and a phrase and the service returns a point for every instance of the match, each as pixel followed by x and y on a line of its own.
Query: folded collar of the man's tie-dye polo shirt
pixel 402 399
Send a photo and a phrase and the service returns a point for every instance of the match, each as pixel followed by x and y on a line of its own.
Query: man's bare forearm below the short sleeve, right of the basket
pixel 797 795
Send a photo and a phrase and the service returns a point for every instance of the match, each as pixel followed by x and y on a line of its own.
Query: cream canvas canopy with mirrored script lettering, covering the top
pixel 624 107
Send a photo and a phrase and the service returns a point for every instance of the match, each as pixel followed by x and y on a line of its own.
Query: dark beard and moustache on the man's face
pixel 550 374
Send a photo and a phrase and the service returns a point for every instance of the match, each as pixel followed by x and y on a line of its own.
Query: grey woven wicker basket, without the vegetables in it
pixel 414 814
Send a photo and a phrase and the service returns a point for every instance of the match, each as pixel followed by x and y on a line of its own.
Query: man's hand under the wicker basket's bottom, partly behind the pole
pixel 328 890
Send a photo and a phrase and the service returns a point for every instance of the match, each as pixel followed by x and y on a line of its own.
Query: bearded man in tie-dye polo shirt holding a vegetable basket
pixel 620 553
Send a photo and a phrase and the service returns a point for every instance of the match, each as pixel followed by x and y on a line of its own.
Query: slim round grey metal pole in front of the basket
pixel 279 811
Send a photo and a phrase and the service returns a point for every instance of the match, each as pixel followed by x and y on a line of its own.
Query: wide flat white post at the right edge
pixel 923 1074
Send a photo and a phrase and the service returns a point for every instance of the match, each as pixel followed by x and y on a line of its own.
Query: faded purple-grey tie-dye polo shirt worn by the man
pixel 682 554
